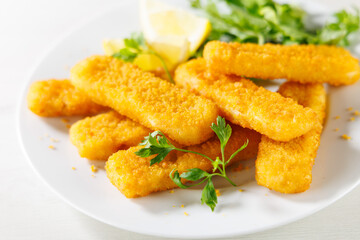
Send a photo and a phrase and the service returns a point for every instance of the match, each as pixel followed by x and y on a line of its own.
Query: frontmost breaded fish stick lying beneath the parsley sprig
pixel 134 176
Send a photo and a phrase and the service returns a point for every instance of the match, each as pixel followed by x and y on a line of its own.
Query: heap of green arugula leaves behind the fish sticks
pixel 261 21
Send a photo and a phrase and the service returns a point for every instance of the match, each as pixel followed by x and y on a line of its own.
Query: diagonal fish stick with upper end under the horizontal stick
pixel 246 104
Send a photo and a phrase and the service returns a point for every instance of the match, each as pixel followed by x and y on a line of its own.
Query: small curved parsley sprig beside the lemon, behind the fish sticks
pixel 136 45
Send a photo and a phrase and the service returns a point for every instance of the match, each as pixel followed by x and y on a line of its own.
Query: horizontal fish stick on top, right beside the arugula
pixel 298 63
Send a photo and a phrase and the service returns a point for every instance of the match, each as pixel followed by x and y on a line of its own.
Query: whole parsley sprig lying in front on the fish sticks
pixel 157 144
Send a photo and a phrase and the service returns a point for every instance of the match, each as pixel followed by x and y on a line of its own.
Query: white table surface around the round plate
pixel 28 208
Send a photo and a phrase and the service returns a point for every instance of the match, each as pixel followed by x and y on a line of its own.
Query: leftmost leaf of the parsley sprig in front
pixel 155 144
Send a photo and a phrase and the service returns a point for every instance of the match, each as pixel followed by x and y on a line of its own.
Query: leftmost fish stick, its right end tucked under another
pixel 54 98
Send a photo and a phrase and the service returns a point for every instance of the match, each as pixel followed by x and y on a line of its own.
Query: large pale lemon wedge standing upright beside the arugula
pixel 172 33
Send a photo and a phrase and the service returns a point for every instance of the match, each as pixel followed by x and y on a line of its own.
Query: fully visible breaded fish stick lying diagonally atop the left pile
pixel 146 99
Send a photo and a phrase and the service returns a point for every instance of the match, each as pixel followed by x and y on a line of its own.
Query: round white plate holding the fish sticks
pixel 336 172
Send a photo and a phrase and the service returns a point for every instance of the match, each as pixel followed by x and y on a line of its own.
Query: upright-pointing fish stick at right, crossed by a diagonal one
pixel 286 167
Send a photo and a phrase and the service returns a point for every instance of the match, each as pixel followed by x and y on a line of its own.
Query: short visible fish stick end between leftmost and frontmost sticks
pixel 98 137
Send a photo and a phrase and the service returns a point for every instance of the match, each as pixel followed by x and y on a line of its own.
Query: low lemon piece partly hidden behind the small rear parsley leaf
pixel 146 62
